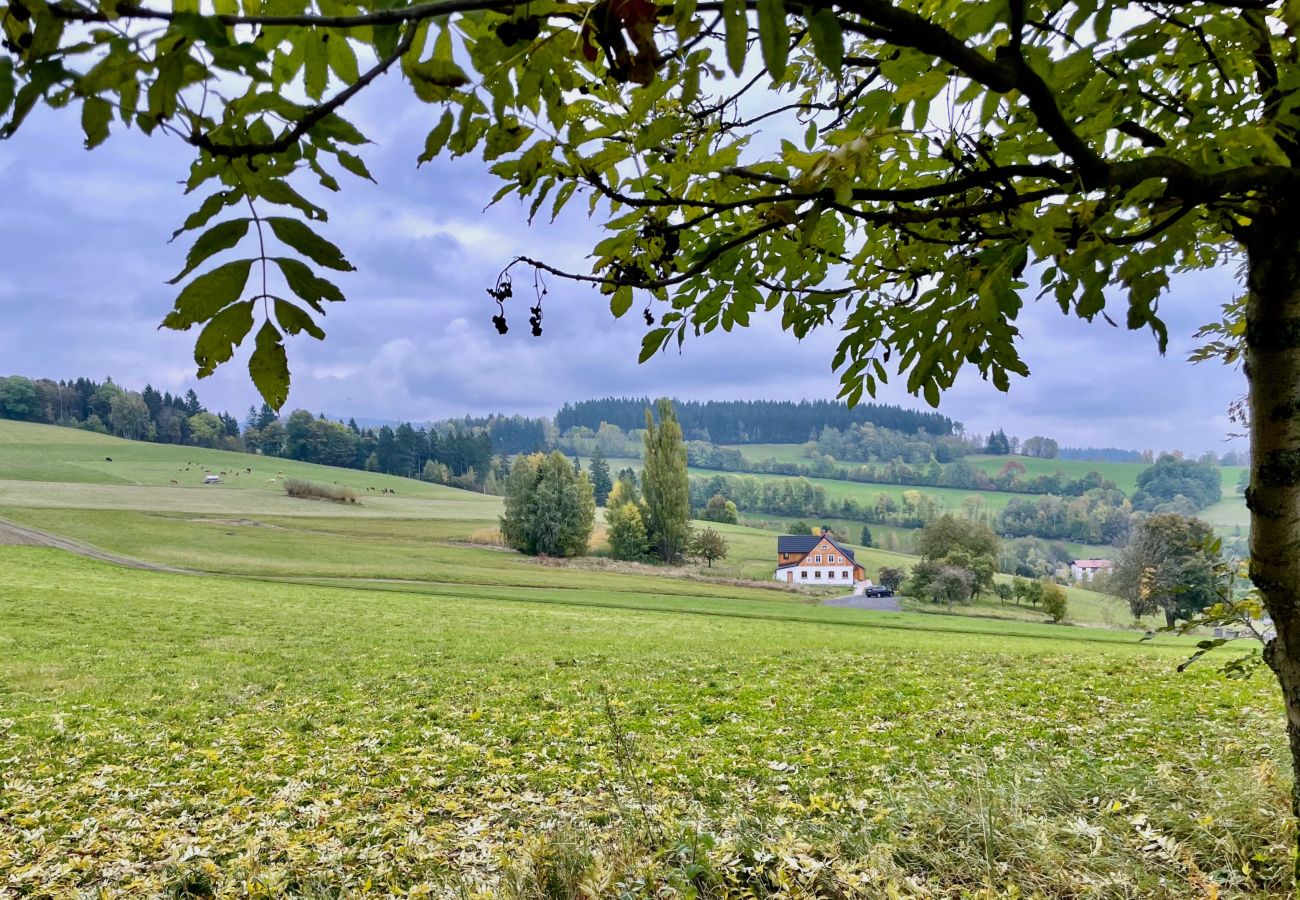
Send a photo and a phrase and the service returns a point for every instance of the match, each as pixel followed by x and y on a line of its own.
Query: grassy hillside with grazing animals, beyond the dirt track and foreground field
pixel 249 526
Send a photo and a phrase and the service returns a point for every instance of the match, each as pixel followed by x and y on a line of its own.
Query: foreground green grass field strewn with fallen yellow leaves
pixel 236 738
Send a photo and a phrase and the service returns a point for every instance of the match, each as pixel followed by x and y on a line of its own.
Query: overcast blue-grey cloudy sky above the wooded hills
pixel 83 288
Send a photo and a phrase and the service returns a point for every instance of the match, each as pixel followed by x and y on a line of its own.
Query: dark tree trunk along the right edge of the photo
pixel 1273 373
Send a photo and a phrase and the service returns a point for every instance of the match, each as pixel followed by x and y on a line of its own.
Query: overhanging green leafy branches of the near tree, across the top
pixel 885 167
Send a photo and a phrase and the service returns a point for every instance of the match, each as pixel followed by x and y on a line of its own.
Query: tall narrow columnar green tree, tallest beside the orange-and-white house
pixel 665 484
